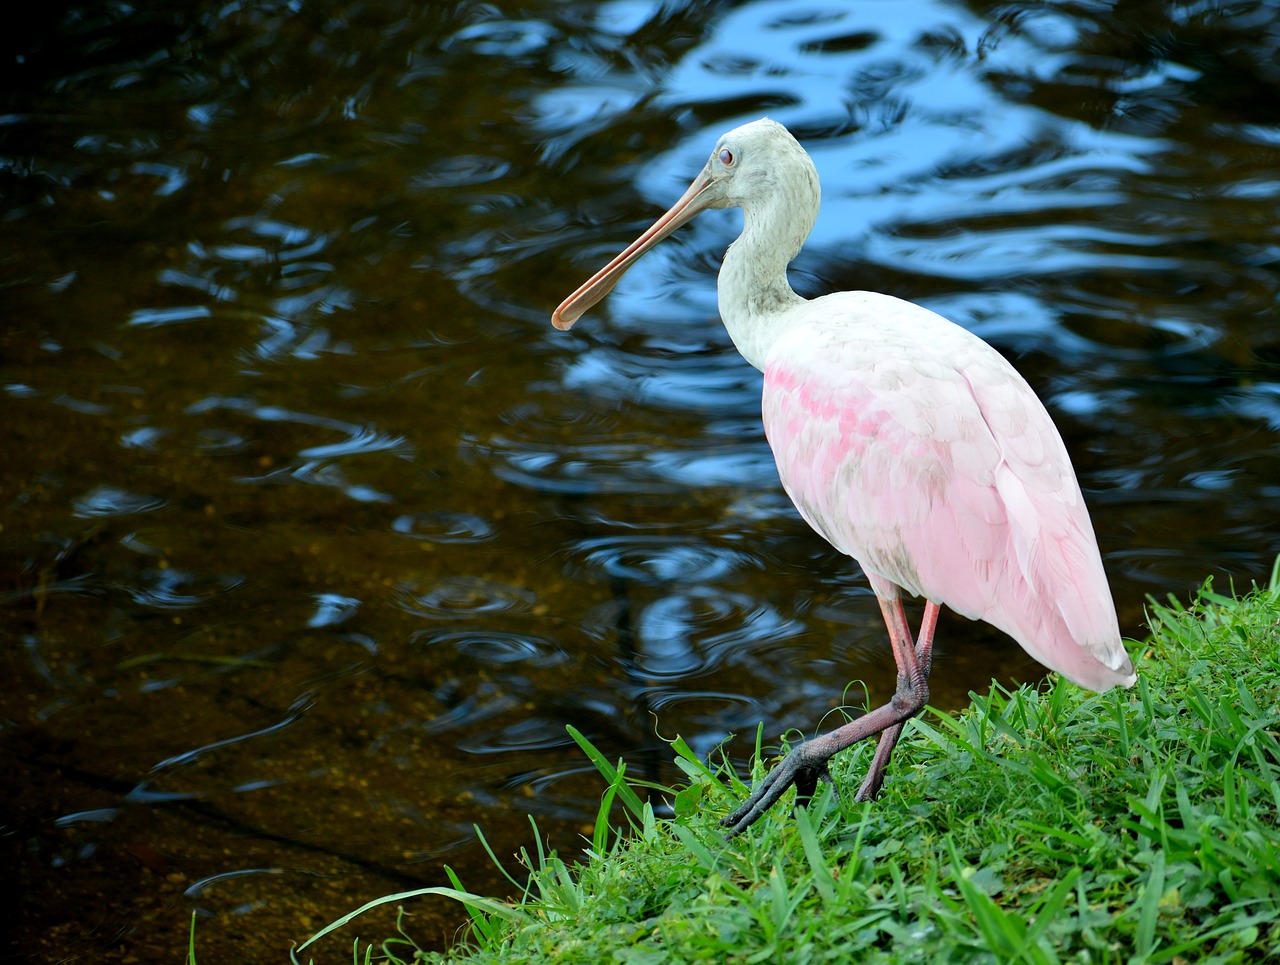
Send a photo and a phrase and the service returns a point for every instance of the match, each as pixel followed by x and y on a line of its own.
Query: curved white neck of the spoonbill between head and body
pixel 755 294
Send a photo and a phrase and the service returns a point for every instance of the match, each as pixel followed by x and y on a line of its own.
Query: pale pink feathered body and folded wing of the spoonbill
pixel 916 449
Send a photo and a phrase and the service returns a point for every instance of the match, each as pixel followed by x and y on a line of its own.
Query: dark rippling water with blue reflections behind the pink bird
pixel 316 534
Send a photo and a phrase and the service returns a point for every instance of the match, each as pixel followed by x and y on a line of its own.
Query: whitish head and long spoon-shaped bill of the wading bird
pixel 753 167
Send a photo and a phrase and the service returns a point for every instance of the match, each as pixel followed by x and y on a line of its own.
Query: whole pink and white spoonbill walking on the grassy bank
pixel 907 442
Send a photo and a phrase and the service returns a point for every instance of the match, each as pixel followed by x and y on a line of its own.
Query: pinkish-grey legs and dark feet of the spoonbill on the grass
pixel 807 763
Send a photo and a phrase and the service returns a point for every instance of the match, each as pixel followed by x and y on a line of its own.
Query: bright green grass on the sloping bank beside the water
pixel 1046 825
